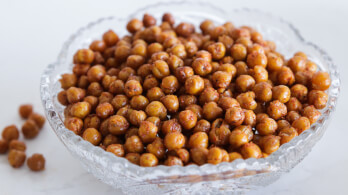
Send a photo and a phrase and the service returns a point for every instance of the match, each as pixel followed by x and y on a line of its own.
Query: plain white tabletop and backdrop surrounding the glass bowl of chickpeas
pixel 32 33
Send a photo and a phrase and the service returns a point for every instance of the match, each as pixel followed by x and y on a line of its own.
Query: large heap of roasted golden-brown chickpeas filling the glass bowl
pixel 168 95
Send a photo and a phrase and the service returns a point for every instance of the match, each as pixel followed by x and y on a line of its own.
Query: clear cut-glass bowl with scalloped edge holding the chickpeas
pixel 237 176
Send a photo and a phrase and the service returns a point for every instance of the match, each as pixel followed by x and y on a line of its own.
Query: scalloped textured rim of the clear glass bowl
pixel 235 165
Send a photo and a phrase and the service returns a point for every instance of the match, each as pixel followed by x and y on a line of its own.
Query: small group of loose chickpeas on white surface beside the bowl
pixel 30 129
